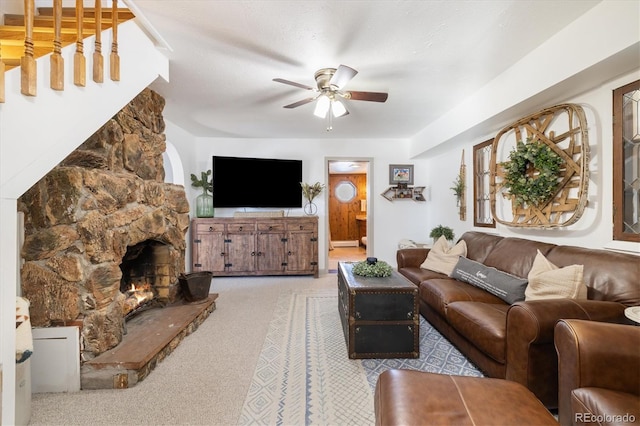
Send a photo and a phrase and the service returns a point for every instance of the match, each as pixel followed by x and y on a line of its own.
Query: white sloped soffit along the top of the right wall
pixel 577 59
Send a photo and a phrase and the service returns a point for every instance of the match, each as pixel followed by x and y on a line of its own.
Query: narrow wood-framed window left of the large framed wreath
pixel 482 201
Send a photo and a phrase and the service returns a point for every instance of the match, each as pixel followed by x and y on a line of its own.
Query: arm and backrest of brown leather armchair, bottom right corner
pixel 595 354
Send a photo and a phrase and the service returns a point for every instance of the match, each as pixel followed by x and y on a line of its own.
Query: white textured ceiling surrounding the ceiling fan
pixel 428 55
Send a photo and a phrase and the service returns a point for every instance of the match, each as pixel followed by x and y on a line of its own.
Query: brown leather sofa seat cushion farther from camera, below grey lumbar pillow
pixel 439 292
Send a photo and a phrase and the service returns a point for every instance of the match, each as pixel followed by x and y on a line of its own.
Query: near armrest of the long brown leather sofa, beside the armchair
pixel 531 355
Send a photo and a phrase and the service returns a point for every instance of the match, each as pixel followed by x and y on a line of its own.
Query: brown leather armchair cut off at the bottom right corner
pixel 598 372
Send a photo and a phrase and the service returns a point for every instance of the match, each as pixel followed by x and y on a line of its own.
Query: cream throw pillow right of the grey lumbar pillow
pixel 547 281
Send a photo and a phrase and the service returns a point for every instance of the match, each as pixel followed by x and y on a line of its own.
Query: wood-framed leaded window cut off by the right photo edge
pixel 626 162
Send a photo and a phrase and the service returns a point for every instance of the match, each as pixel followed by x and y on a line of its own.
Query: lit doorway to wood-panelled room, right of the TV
pixel 348 219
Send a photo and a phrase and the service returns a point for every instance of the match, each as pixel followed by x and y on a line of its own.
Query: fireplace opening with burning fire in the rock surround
pixel 146 268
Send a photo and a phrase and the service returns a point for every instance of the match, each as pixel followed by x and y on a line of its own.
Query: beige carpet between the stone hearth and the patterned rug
pixel 205 380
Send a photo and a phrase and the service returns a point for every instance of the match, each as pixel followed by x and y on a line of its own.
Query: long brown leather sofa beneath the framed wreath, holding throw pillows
pixel 516 341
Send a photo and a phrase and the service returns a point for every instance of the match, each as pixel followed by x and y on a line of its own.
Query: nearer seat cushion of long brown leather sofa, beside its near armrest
pixel 483 324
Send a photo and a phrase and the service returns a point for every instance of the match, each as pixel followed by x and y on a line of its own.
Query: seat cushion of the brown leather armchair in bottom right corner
pixel 587 403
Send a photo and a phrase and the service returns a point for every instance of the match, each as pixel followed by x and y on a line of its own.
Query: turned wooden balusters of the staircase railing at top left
pixel 27 63
